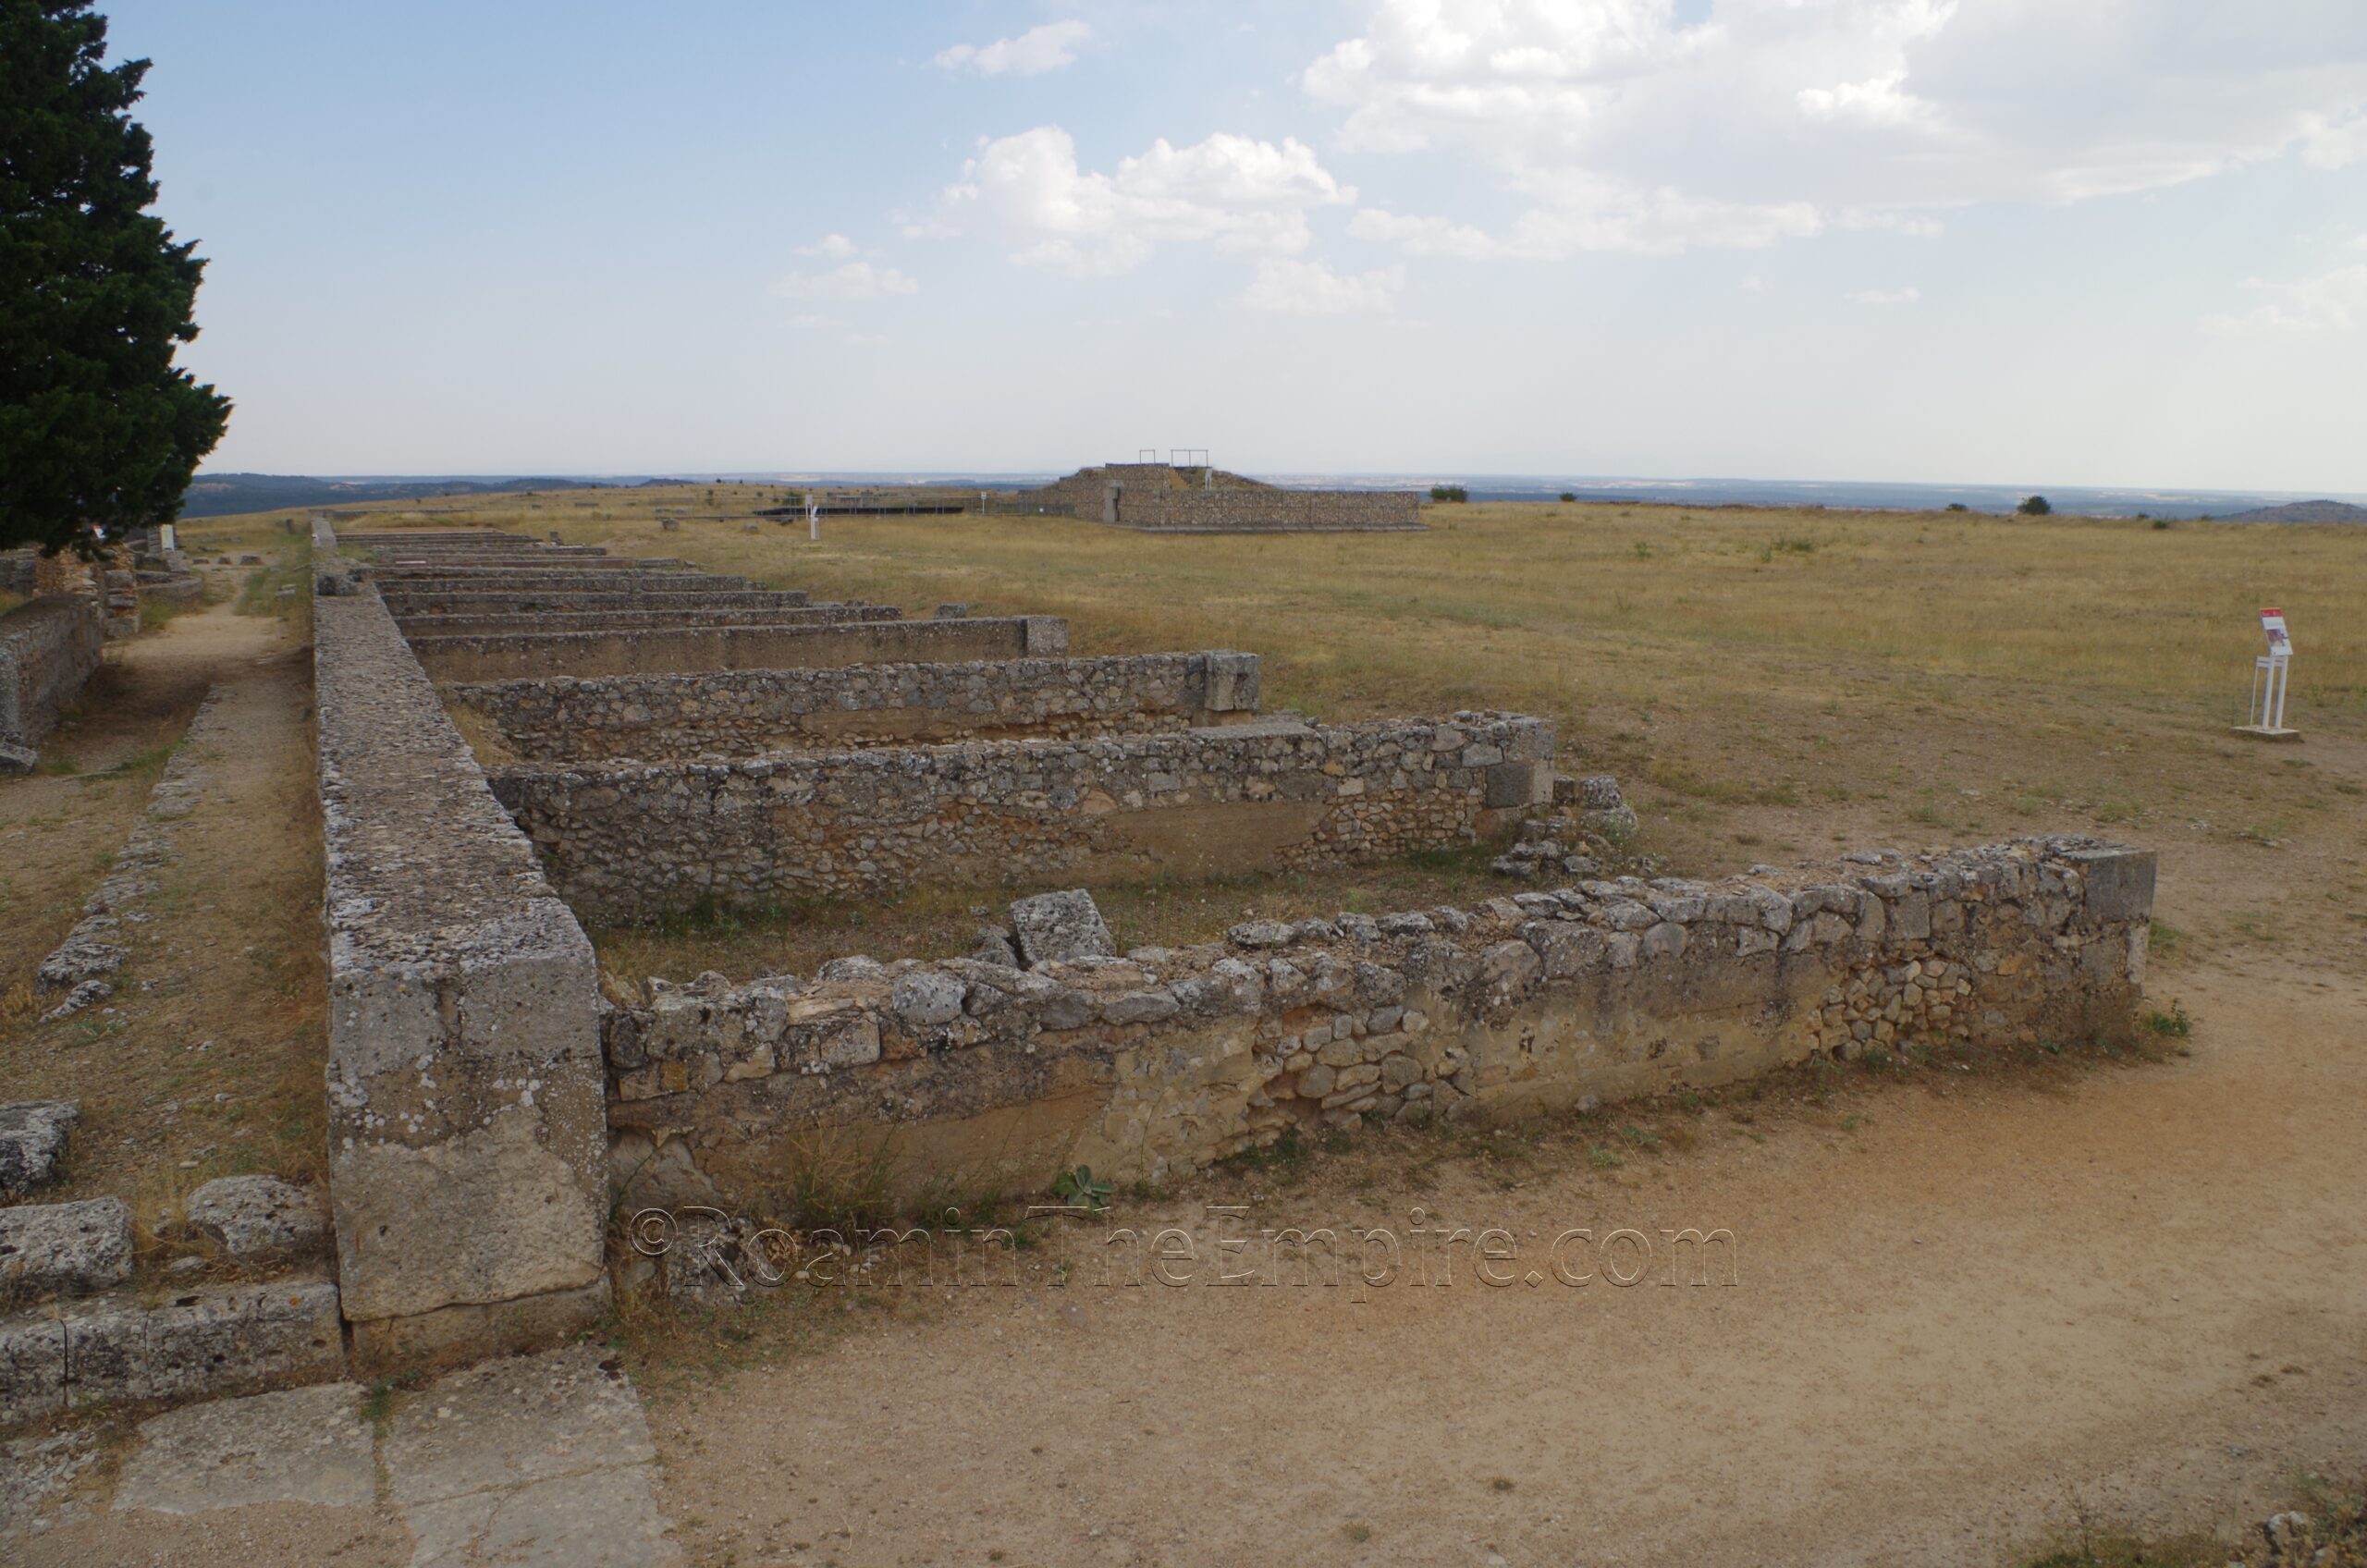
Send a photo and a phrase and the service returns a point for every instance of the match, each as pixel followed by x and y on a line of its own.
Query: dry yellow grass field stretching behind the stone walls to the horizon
pixel 1767 686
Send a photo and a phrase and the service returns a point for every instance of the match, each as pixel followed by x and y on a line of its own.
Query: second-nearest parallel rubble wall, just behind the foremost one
pixel 631 842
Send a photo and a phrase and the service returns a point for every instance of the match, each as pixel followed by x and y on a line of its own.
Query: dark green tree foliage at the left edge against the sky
pixel 96 295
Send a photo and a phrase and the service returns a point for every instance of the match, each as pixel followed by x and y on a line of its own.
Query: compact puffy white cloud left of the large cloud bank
pixel 1237 193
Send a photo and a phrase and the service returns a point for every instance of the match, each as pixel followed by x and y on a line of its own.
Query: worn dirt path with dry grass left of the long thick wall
pixel 207 1060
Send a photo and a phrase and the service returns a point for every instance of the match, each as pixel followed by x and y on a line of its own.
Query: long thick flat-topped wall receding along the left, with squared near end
pixel 465 1081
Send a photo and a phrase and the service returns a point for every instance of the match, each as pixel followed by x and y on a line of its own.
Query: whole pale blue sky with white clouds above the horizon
pixel 2082 243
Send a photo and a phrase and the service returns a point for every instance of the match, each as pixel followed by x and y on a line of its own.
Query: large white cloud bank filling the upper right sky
pixel 1774 120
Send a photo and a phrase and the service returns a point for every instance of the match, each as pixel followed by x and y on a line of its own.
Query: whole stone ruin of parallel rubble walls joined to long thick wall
pixel 647 738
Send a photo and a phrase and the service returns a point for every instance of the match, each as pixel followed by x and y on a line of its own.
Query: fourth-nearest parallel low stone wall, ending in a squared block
pixel 768 648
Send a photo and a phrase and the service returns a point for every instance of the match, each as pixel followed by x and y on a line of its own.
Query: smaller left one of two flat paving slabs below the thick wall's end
pixel 292 1446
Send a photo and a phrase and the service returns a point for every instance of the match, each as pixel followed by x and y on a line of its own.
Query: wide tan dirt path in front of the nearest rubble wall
pixel 1956 1320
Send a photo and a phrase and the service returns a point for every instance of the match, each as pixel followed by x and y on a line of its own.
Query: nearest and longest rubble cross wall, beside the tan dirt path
pixel 1175 1058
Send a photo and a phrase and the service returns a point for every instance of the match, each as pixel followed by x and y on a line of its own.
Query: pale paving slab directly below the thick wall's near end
pixel 531 1460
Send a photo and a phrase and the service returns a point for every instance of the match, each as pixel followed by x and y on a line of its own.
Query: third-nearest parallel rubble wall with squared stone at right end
pixel 747 712
